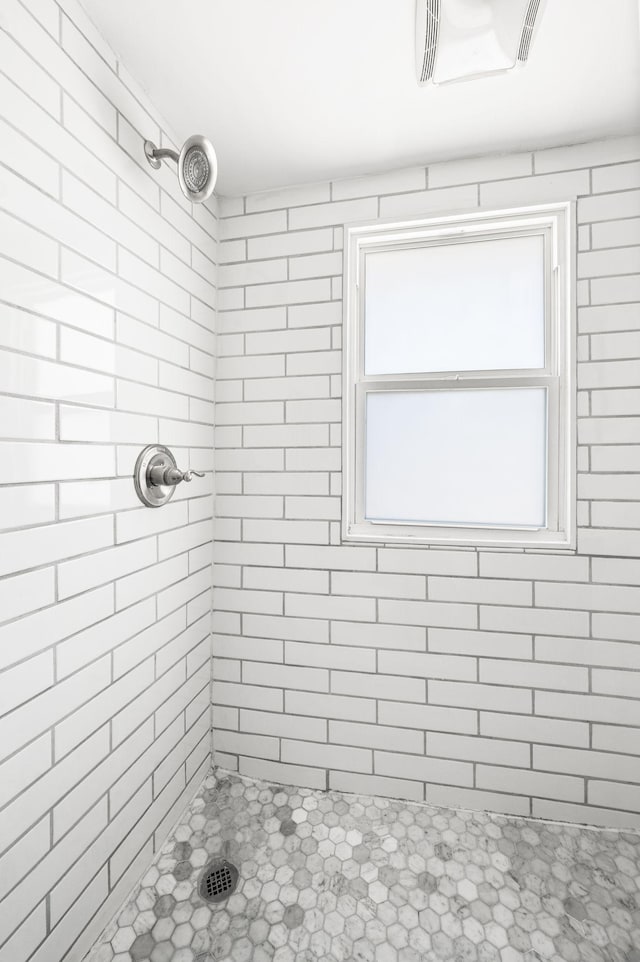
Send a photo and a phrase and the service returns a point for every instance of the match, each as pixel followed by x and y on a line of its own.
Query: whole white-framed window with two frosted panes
pixel 458 380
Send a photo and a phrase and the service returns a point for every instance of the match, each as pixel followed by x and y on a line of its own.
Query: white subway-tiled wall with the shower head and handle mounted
pixel 106 344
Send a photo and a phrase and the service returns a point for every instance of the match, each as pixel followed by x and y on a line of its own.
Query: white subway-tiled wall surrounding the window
pixel 502 680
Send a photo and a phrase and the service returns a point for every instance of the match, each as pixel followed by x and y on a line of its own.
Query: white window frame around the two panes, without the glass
pixel 556 223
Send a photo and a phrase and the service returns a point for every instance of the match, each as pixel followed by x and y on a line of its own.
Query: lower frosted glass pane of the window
pixel 457 457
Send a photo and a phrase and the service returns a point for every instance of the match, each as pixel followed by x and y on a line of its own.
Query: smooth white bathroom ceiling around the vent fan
pixel 293 91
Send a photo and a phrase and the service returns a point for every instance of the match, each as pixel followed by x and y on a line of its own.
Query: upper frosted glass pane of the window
pixel 475 306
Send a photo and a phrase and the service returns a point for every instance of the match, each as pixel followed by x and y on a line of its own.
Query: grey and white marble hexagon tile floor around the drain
pixel 334 878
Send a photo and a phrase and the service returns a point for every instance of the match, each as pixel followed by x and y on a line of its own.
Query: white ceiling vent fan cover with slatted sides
pixel 463 39
